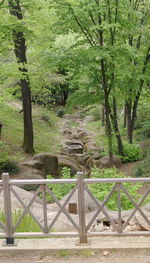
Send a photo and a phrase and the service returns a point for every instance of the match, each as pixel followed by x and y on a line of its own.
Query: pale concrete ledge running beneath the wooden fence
pixel 50 245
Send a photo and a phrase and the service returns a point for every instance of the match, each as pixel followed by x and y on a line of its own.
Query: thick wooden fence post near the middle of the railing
pixel 81 209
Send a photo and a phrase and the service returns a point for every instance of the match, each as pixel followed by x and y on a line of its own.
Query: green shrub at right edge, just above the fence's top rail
pixel 143 168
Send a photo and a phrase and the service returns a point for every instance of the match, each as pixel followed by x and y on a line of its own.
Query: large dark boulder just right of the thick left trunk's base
pixel 50 163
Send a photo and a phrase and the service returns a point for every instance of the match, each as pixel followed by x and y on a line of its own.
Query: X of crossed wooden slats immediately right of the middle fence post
pixel 101 207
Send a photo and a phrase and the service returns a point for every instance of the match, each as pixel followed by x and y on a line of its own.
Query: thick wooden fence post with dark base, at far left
pixel 8 212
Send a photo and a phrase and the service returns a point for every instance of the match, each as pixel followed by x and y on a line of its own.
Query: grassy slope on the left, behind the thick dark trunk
pixel 45 133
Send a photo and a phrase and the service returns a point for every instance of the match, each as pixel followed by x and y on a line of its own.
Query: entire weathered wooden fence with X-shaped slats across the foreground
pixel 8 230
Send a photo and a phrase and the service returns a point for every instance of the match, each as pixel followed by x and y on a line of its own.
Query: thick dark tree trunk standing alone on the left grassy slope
pixel 20 53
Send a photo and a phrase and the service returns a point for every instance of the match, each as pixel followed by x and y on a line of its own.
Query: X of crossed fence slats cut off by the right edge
pixel 137 206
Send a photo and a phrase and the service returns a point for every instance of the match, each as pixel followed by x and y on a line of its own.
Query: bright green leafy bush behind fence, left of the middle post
pixel 60 190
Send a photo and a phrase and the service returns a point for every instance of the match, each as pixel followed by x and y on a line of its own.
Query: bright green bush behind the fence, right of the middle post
pixel 100 191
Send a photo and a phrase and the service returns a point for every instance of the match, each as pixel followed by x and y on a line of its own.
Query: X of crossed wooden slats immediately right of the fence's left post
pixel 26 208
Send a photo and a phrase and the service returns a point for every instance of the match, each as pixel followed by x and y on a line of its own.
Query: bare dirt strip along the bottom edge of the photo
pixel 142 256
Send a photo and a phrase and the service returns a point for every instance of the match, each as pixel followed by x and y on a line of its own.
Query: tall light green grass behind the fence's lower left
pixel 27 224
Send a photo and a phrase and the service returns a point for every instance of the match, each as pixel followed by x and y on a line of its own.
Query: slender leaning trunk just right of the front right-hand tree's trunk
pixel 116 128
